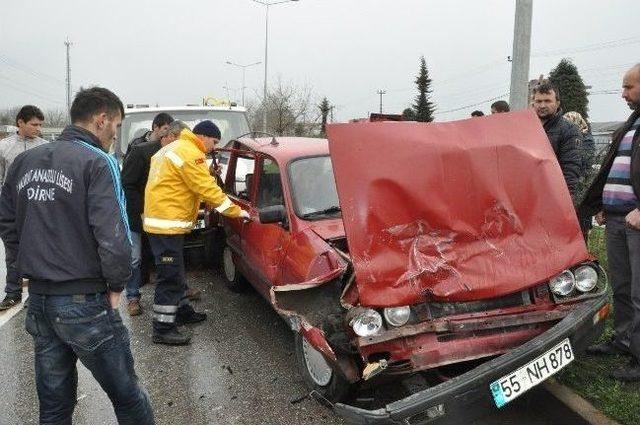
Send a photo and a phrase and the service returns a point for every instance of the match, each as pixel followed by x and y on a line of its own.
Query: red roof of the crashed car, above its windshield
pixel 287 148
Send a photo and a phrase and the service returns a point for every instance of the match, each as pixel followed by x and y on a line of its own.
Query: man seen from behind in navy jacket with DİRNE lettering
pixel 63 220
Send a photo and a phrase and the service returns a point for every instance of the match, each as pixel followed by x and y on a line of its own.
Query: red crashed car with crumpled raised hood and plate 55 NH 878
pixel 397 248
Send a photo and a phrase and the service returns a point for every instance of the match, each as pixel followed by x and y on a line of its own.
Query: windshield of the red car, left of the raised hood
pixel 313 188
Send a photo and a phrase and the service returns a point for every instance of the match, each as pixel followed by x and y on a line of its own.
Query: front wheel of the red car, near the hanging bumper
pixel 318 374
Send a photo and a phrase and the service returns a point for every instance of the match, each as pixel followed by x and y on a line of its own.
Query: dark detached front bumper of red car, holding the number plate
pixel 468 396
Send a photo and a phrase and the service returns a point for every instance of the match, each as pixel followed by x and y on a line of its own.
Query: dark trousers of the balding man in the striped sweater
pixel 623 254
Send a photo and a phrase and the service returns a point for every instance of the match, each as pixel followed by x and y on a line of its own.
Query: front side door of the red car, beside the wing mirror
pixel 265 245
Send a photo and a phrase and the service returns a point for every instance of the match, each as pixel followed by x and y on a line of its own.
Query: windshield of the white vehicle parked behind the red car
pixel 231 123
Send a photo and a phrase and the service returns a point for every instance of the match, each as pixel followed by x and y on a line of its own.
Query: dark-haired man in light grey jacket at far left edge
pixel 29 121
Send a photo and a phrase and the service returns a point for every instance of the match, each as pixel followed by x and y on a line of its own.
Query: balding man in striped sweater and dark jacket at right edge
pixel 614 197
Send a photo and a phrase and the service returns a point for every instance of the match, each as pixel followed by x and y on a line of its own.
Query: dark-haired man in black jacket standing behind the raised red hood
pixel 564 137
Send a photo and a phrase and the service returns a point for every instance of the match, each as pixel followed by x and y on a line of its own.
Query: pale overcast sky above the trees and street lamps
pixel 174 53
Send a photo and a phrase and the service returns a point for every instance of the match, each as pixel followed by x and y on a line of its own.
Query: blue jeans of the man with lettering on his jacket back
pixel 66 328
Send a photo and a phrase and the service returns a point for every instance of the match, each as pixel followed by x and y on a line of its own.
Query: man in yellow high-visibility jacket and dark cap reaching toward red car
pixel 178 180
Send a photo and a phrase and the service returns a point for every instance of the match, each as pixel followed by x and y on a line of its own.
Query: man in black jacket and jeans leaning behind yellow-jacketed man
pixel 135 172
